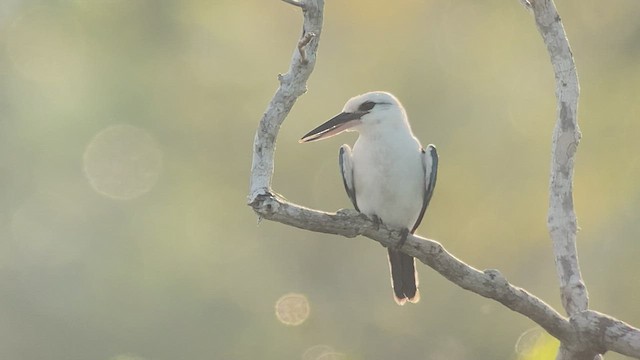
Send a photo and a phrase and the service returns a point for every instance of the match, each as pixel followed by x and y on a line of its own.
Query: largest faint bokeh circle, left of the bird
pixel 122 162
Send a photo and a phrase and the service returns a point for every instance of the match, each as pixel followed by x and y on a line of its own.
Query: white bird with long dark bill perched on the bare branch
pixel 388 175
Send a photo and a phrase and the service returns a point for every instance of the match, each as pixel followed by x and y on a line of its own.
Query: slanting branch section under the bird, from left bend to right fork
pixel 488 283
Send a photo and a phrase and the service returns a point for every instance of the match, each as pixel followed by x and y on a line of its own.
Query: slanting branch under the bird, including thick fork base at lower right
pixel 586 331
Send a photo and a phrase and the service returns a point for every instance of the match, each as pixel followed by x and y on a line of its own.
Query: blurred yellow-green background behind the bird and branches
pixel 126 132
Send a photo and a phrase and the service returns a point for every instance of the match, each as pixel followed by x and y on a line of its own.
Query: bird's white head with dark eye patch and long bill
pixel 376 109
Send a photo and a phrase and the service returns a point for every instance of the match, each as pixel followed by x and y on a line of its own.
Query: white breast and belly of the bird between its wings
pixel 389 178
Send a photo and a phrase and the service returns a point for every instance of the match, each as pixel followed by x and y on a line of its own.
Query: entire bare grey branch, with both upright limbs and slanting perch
pixel 583 335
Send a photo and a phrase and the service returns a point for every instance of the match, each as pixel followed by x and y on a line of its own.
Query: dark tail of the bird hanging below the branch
pixel 404 278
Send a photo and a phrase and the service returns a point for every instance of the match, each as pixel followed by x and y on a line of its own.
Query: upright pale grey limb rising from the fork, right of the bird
pixel 562 221
